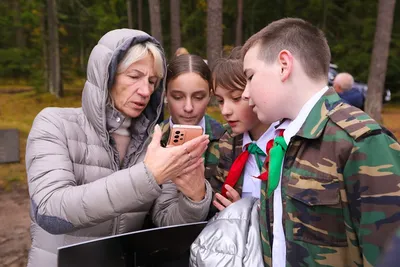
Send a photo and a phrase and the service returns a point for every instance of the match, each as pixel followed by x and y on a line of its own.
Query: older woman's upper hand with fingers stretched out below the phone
pixel 165 163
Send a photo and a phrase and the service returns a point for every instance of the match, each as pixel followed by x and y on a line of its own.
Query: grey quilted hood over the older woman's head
pixel 102 65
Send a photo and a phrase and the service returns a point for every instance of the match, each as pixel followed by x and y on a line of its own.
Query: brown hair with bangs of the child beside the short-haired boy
pixel 228 72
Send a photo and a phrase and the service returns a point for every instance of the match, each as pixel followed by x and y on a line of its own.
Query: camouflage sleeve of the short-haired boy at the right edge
pixel 372 179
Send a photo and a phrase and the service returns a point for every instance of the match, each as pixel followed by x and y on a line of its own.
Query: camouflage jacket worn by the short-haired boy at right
pixel 340 188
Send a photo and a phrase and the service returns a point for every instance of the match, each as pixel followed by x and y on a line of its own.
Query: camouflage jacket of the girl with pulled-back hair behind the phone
pixel 211 157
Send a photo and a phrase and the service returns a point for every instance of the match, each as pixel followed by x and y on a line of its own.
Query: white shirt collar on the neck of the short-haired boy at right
pixel 296 124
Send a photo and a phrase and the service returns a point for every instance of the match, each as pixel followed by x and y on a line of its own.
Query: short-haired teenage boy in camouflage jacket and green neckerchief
pixel 335 199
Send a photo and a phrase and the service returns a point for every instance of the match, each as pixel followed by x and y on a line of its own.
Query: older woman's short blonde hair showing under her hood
pixel 140 51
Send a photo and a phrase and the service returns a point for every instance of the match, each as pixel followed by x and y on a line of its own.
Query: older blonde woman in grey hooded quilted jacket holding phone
pixel 92 171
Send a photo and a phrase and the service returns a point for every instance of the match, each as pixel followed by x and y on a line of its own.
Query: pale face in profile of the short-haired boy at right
pixel 264 87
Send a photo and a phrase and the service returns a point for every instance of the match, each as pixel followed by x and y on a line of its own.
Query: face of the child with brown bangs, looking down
pixel 235 110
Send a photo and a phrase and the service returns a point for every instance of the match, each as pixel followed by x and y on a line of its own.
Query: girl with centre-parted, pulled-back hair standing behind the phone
pixel 188 93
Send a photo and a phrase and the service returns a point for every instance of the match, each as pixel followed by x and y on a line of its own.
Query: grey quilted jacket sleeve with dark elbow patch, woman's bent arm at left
pixel 59 205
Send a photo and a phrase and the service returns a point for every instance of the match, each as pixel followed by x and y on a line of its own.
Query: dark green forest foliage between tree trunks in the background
pixel 348 25
